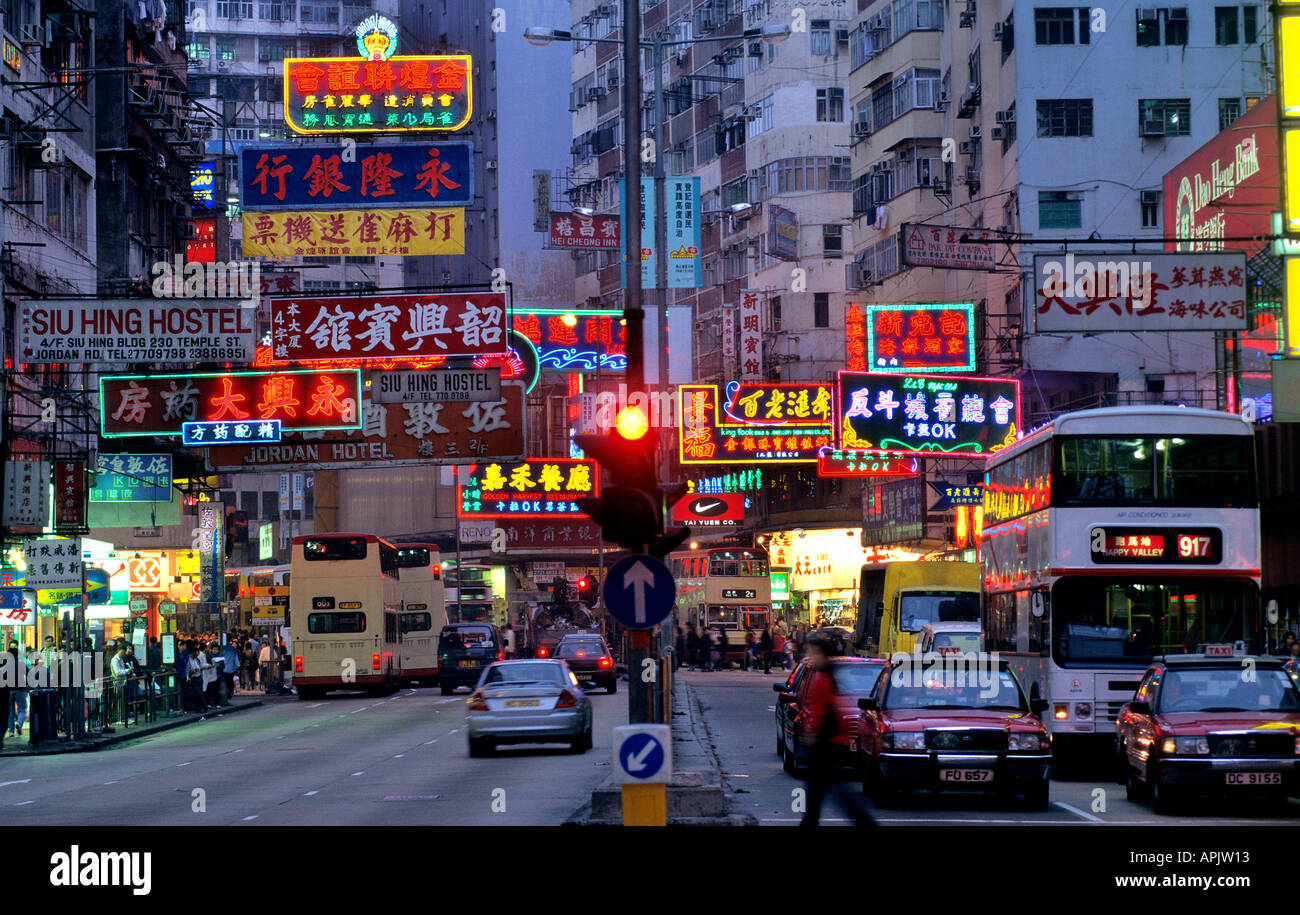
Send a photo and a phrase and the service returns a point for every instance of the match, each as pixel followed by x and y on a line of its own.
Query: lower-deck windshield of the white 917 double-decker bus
pixel 1132 622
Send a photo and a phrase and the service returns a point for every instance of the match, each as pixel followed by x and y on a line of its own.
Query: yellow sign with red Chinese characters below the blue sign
pixel 375 231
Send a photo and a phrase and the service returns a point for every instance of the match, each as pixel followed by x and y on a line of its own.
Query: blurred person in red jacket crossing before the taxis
pixel 829 743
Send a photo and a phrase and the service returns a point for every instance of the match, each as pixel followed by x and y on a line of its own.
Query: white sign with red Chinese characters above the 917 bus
pixel 1137 293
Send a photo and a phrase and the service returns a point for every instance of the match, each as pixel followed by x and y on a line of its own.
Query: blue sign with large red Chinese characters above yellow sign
pixel 309 177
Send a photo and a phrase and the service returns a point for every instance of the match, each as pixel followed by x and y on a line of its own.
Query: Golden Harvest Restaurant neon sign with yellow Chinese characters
pixel 538 488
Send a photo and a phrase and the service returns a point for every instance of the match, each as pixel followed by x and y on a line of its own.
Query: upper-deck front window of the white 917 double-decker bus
pixel 1212 471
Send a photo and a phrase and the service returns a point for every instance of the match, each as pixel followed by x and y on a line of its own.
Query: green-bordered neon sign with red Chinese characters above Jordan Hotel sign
pixel 324 398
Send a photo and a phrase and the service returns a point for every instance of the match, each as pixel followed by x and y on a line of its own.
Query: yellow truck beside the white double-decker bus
pixel 898 600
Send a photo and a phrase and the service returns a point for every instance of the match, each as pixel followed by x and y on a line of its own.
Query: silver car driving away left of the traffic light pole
pixel 528 702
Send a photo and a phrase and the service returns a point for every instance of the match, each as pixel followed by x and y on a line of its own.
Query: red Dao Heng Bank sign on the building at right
pixel 1229 188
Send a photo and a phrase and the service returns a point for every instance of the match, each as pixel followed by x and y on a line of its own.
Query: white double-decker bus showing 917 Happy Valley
pixel 1113 536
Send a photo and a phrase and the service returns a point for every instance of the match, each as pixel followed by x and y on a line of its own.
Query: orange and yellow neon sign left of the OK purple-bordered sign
pixel 785 430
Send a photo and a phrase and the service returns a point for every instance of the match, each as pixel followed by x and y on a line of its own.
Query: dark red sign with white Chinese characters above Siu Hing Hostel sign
pixel 383 327
